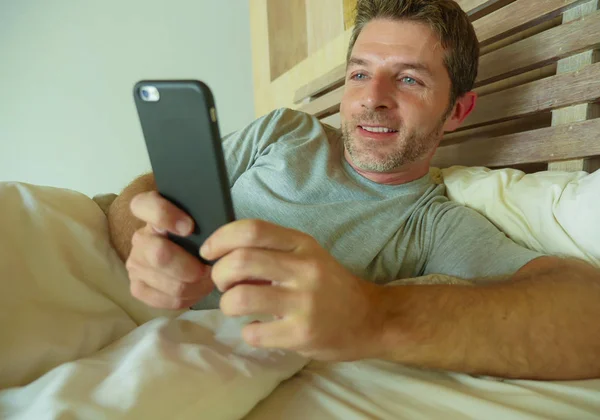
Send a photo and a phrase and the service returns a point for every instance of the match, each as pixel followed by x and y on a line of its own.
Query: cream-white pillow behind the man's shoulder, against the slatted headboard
pixel 555 213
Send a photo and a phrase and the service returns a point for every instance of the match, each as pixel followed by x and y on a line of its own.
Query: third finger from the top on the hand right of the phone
pixel 253 300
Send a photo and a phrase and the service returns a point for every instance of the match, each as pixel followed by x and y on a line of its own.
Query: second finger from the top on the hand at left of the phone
pixel 166 257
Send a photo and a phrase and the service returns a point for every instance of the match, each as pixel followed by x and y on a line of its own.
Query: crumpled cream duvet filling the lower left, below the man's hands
pixel 71 344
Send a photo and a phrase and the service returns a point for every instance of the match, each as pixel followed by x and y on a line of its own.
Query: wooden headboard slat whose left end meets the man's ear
pixel 546 94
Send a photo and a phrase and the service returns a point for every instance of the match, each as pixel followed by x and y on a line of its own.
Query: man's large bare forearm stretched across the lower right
pixel 541 324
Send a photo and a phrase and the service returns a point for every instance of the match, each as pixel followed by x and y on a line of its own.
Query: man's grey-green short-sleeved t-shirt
pixel 289 169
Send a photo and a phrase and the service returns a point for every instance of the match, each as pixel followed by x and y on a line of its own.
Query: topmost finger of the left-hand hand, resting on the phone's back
pixel 159 212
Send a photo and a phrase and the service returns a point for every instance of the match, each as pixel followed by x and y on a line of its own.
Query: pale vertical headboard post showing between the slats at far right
pixel 577 112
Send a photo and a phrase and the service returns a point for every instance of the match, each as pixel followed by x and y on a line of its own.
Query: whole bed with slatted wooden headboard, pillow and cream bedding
pixel 75 344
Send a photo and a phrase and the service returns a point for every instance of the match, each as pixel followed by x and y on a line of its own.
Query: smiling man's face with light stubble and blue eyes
pixel 396 96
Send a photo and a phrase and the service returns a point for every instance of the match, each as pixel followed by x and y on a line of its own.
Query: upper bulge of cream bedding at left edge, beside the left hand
pixel 64 293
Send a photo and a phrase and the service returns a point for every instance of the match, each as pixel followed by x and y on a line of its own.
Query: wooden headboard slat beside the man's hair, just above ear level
pixel 541 49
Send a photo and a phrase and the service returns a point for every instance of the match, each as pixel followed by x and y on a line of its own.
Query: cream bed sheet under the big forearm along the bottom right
pixel 382 390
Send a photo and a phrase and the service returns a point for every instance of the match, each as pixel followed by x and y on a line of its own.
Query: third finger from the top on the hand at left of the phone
pixel 174 287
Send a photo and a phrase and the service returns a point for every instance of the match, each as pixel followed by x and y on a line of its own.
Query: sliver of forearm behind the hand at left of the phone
pixel 122 224
